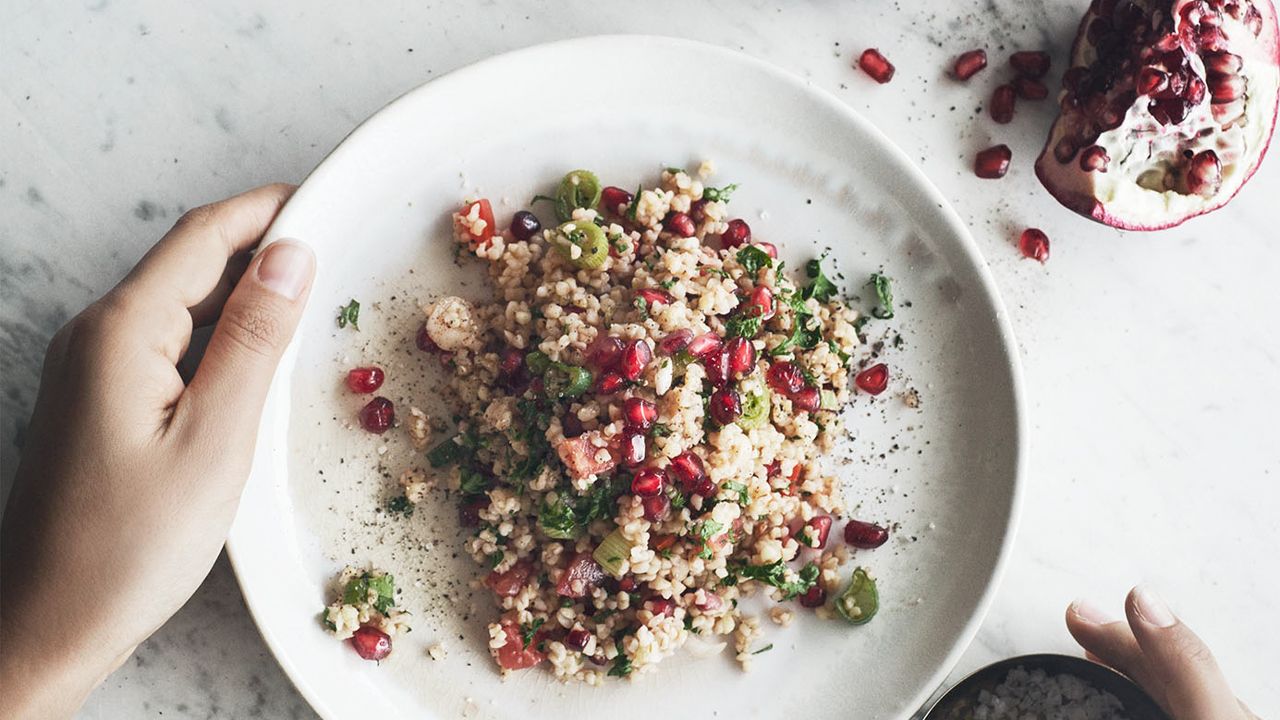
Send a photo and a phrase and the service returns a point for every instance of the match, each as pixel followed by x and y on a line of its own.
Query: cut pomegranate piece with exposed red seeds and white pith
pixel 1174 103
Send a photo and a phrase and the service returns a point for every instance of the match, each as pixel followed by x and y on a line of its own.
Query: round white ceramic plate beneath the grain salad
pixel 813 176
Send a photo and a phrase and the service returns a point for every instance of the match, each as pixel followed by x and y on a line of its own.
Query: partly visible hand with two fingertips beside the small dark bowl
pixel 1159 653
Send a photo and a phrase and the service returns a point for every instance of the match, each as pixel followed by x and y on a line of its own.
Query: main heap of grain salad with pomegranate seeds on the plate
pixel 641 414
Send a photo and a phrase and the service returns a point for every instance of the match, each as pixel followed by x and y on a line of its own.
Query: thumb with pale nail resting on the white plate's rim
pixel 225 399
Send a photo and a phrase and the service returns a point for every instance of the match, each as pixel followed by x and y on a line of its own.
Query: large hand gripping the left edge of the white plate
pixel 130 476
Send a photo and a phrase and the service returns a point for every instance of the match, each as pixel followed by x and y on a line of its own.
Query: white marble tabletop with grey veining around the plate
pixel 1153 361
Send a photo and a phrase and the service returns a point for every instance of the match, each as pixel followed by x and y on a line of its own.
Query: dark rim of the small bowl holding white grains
pixel 958 703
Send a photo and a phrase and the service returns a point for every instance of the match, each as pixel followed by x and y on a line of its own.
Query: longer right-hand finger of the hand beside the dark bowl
pixel 1180 662
